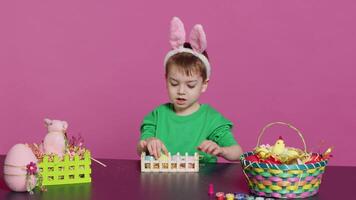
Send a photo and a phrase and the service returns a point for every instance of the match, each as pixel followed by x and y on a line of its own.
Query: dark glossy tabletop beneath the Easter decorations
pixel 122 179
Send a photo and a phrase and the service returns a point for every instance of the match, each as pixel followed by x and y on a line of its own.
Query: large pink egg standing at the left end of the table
pixel 15 163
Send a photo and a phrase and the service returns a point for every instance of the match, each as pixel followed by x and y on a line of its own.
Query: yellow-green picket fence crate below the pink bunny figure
pixel 66 171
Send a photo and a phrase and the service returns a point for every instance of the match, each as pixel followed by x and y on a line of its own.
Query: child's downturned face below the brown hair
pixel 183 90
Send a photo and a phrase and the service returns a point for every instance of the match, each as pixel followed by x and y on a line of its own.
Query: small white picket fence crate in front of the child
pixel 176 163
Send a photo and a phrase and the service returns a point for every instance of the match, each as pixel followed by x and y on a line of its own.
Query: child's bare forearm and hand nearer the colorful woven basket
pixel 231 153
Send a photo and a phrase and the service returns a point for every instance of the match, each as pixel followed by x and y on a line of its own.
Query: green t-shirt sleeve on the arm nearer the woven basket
pixel 221 131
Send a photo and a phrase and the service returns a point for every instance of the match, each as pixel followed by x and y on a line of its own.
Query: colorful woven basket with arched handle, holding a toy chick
pixel 280 180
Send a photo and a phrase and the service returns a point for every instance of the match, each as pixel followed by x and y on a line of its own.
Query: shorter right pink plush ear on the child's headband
pixel 198 38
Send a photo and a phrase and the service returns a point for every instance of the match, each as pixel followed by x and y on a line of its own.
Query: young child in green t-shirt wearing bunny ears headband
pixel 185 125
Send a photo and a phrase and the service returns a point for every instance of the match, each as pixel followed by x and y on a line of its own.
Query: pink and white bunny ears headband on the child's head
pixel 197 40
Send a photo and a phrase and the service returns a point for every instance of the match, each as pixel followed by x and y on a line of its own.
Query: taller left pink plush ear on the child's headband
pixel 177 37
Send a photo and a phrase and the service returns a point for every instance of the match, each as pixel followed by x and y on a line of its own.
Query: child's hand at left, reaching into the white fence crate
pixel 154 146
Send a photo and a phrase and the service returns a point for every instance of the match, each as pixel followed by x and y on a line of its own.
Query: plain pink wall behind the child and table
pixel 98 65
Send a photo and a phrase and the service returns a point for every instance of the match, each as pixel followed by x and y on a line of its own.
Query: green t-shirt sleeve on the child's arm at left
pixel 148 126
